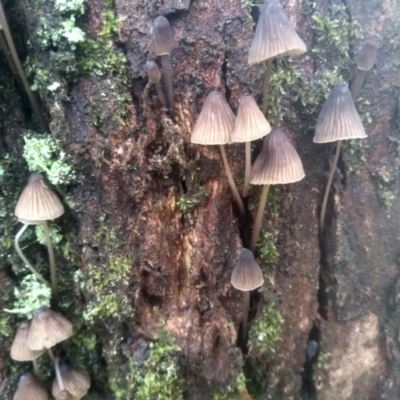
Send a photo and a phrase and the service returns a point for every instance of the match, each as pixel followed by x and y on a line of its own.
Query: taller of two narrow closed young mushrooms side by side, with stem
pixel 162 44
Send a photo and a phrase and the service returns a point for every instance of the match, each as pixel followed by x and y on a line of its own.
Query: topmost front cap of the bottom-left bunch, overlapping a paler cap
pixel 47 329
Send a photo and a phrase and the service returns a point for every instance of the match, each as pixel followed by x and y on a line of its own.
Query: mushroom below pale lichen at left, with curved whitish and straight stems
pixel 37 204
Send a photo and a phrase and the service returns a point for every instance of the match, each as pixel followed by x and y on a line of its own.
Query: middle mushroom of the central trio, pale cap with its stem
pixel 250 125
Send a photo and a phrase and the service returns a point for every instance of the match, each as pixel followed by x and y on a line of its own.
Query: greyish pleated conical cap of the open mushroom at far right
pixel 338 119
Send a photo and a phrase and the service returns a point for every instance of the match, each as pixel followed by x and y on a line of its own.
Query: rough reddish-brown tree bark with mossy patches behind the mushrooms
pixel 151 233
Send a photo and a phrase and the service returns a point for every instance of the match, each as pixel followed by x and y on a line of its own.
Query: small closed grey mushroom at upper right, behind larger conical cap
pixel 365 60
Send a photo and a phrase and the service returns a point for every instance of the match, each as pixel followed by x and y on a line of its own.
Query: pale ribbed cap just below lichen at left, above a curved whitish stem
pixel 38 202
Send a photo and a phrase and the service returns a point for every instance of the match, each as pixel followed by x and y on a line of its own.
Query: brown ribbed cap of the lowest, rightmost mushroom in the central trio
pixel 278 162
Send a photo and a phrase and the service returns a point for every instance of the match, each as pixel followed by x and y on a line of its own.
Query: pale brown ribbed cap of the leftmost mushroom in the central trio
pixel 215 122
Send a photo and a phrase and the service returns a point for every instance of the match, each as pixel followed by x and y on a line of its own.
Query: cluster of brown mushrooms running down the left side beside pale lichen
pixel 37 204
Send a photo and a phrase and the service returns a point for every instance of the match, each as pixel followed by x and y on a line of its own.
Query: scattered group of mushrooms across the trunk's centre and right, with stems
pixel 278 163
